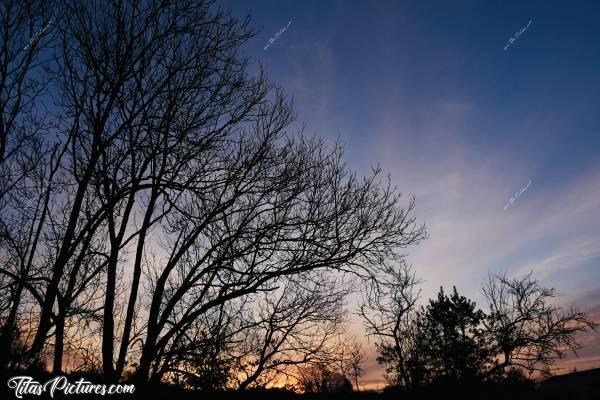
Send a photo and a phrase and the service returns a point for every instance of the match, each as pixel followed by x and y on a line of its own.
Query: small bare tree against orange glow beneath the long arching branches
pixel 298 323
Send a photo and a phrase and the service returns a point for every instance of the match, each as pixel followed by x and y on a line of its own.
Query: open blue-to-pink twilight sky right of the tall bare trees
pixel 498 139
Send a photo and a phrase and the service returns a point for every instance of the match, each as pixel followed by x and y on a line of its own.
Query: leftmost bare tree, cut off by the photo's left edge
pixel 24 154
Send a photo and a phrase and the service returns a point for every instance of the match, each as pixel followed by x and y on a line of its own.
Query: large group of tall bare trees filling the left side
pixel 159 218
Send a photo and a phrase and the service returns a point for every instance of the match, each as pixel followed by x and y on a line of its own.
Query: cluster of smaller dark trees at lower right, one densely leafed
pixel 451 341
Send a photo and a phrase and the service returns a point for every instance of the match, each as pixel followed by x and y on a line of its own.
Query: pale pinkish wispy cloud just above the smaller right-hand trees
pixel 460 194
